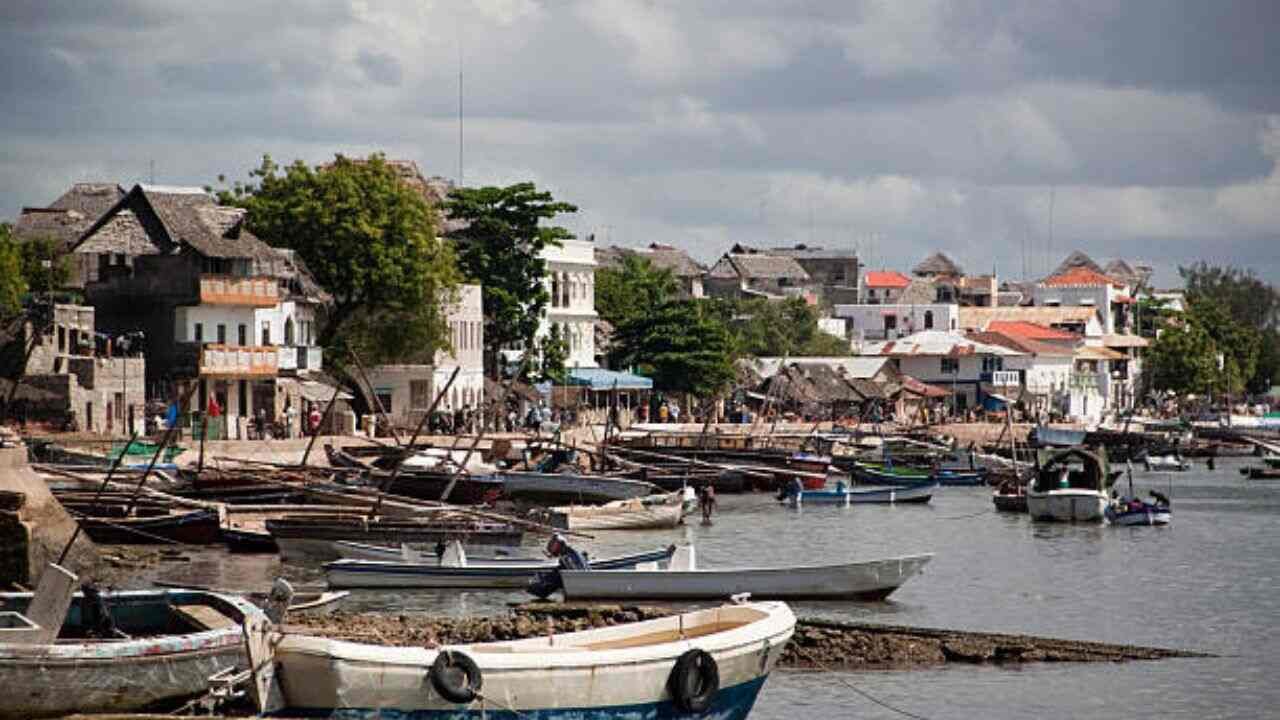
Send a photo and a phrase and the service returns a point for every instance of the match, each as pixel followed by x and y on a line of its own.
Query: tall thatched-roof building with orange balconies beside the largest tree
pixel 216 306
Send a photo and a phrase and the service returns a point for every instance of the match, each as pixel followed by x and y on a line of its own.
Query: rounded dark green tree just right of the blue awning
pixel 682 345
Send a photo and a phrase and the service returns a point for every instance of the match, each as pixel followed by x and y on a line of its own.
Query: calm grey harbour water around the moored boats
pixel 1212 582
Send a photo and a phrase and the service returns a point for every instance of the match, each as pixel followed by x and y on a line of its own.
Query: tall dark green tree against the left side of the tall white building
pixel 500 247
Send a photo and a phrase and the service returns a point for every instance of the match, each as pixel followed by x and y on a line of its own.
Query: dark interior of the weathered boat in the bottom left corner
pixel 134 616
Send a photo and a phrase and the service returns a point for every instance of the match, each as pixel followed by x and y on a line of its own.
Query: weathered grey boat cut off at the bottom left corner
pixel 176 641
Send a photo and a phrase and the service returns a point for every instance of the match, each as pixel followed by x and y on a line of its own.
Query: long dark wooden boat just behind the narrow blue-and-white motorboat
pixel 314 536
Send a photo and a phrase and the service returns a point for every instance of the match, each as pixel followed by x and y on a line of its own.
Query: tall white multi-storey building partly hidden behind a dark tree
pixel 572 285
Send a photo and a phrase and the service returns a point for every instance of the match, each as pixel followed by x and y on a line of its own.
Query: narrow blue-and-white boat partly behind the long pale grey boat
pixel 476 575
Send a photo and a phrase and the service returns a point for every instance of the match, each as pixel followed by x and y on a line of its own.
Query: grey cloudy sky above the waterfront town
pixel 1004 133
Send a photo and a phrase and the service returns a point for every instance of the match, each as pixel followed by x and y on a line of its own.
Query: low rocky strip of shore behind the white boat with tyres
pixel 819 645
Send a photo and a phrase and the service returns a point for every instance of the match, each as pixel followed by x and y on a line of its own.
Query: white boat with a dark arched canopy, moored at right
pixel 1066 493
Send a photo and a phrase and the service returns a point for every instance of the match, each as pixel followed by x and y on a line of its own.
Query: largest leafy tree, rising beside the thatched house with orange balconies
pixel 369 239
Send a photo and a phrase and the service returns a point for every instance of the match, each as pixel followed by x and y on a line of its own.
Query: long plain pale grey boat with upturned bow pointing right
pixel 875 580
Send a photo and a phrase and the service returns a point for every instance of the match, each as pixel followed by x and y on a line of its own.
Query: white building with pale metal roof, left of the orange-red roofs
pixel 948 359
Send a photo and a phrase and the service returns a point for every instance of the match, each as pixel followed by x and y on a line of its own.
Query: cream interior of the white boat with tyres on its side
pixel 643 635
